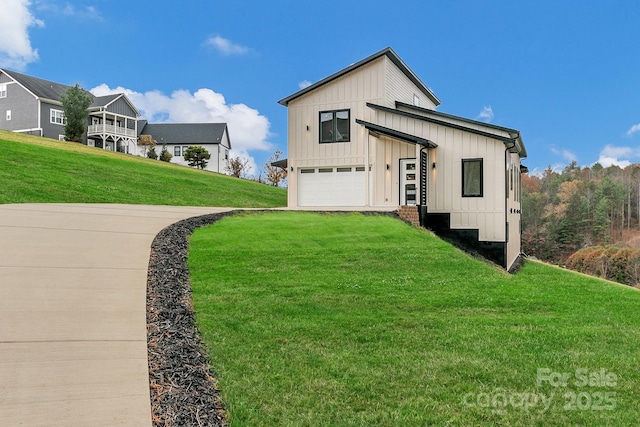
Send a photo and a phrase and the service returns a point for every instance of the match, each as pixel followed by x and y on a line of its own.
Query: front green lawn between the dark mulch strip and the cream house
pixel 353 320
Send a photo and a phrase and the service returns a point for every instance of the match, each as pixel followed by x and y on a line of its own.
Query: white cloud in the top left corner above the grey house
pixel 15 45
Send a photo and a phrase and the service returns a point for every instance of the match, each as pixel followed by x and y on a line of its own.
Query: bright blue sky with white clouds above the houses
pixel 564 73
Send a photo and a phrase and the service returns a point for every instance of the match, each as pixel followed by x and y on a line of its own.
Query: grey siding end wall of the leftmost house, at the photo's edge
pixel 23 106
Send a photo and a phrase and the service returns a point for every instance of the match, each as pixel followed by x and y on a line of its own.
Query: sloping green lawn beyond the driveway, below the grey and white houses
pixel 41 170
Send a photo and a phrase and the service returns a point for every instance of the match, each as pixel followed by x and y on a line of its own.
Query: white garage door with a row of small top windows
pixel 337 186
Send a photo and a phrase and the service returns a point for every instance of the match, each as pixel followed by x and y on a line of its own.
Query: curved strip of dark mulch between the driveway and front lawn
pixel 183 390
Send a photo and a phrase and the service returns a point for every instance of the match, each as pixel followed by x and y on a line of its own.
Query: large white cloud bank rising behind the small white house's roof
pixel 248 129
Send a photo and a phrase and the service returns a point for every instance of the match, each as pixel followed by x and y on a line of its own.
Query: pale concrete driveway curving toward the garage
pixel 73 349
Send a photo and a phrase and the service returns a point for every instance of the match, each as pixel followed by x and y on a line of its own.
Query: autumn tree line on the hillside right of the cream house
pixel 578 208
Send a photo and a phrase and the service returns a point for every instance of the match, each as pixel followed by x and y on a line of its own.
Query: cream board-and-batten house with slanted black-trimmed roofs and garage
pixel 369 136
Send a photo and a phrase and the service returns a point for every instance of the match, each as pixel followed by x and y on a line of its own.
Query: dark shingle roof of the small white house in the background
pixel 183 133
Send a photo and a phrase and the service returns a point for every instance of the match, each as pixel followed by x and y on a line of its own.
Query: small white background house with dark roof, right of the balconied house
pixel 214 137
